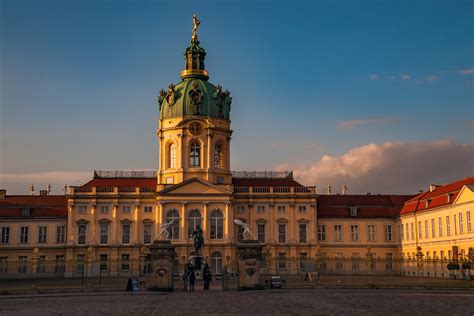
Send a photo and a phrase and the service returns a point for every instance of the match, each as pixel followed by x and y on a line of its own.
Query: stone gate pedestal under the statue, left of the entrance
pixel 162 255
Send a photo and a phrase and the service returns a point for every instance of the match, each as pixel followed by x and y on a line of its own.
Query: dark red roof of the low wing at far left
pixel 40 205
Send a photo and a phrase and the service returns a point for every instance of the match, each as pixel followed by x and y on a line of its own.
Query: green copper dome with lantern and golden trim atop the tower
pixel 194 95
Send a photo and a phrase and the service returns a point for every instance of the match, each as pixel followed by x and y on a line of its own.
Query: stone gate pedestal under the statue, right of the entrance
pixel 250 257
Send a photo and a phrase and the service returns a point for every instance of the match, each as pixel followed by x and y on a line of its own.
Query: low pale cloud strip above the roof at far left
pixel 19 183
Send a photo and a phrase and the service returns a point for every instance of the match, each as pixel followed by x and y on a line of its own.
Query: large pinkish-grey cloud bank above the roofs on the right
pixel 391 167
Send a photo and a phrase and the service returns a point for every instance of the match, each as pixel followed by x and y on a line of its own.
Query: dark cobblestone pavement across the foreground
pixel 276 302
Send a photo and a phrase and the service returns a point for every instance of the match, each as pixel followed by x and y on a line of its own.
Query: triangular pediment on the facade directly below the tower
pixel 195 186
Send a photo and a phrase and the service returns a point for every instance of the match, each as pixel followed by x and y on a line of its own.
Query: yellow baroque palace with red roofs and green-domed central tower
pixel 105 226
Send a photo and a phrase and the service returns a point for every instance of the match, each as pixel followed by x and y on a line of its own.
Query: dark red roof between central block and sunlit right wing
pixel 368 206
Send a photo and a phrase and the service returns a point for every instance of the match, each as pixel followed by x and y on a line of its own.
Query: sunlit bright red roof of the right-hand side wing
pixel 437 198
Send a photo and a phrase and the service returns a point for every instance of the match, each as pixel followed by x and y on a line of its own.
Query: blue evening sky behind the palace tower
pixel 79 80
